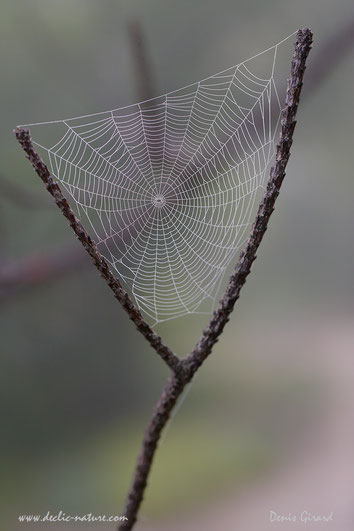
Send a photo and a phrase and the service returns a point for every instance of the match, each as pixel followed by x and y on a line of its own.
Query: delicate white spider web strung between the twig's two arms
pixel 167 186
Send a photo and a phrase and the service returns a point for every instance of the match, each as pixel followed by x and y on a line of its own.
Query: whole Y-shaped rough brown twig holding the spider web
pixel 184 370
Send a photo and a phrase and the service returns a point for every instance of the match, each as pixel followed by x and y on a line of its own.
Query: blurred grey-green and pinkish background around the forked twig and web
pixel 267 424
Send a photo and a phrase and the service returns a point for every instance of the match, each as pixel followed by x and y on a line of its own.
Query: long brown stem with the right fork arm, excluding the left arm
pixel 221 316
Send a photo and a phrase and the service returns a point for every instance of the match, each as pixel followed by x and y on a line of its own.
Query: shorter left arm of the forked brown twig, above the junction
pixel 23 136
